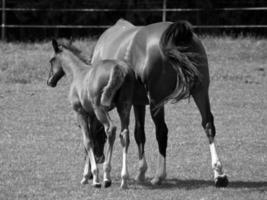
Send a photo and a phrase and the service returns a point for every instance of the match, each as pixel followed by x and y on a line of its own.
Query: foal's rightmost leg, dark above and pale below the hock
pixel 124 114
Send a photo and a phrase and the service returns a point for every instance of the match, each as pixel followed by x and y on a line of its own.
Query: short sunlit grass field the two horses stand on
pixel 41 154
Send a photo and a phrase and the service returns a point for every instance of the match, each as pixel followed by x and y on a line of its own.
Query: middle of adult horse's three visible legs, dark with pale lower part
pixel 162 137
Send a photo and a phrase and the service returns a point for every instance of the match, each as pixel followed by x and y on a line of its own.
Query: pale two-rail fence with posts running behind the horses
pixel 163 10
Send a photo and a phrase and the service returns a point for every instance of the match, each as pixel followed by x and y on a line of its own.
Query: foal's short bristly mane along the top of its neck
pixel 77 52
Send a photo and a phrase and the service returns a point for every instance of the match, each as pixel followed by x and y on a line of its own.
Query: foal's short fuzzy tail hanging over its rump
pixel 116 79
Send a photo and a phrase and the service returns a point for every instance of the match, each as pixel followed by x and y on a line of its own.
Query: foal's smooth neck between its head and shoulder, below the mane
pixel 74 67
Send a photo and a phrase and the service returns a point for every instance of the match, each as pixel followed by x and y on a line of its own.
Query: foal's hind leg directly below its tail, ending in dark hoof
pixel 110 130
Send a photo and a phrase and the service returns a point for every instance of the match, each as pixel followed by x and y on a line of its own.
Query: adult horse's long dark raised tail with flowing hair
pixel 173 42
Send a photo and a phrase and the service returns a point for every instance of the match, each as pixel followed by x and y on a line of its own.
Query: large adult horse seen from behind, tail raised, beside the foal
pixel 170 63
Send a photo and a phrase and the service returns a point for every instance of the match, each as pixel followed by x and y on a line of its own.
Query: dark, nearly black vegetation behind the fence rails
pixel 207 17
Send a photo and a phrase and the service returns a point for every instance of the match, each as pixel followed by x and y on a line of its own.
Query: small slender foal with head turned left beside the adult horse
pixel 94 91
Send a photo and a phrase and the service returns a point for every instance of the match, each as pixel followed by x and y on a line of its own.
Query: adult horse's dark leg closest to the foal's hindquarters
pixel 140 138
